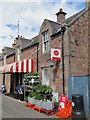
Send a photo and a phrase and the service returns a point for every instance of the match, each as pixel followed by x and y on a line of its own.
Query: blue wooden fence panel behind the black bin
pixel 80 85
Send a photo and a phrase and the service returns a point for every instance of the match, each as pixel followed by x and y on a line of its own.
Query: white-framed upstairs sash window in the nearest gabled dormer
pixel 45 41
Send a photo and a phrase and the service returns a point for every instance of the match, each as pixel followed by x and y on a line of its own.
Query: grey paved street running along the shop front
pixel 12 108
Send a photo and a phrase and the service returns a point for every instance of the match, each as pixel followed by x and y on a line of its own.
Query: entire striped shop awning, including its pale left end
pixel 26 65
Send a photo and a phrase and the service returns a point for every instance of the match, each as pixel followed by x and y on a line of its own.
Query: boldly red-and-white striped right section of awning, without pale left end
pixel 26 65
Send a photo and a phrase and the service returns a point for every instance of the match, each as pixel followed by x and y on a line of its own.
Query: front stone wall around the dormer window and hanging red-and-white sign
pixel 55 72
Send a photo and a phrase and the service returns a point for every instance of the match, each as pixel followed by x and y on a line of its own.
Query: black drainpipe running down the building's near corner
pixel 62 34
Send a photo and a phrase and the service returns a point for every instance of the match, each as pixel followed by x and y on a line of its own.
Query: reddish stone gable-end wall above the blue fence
pixel 79 46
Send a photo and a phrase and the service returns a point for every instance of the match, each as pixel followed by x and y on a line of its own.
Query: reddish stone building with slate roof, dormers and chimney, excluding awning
pixel 76 40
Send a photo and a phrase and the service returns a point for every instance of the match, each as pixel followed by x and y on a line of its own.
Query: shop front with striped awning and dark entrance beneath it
pixel 13 73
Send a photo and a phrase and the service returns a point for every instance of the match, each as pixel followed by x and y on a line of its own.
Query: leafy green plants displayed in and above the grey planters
pixel 36 90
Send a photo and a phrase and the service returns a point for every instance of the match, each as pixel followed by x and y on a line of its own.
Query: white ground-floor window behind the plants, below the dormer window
pixel 45 78
